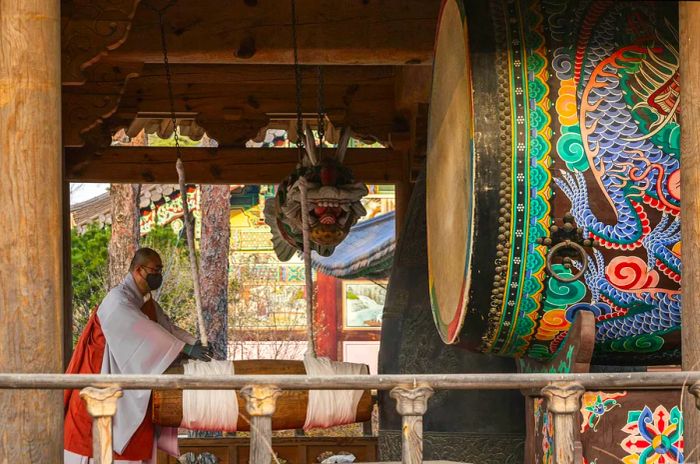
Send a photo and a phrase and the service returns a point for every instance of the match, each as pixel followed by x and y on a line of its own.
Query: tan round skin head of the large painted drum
pixel 450 174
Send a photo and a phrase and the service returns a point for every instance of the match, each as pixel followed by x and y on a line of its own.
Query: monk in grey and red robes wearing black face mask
pixel 128 334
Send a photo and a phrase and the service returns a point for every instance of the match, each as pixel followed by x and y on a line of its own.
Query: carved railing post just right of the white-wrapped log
pixel 412 403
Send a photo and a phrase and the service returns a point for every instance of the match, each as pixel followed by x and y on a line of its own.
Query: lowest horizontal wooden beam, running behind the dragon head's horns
pixel 156 165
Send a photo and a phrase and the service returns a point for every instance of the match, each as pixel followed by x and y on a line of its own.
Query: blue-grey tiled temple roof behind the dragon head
pixel 368 251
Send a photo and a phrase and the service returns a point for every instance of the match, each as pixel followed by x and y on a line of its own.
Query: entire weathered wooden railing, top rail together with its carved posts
pixel 562 393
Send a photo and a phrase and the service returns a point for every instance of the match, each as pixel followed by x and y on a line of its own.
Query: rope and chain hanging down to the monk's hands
pixel 179 166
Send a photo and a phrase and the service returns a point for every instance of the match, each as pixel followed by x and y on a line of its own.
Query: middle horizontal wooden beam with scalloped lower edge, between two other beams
pixel 232 102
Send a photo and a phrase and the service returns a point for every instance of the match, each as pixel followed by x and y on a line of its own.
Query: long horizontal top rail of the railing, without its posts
pixel 627 380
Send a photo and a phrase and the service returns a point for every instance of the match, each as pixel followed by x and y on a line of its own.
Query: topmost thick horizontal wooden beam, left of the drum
pixel 394 32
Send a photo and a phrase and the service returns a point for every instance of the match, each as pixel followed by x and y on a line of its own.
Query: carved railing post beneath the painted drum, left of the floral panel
pixel 563 401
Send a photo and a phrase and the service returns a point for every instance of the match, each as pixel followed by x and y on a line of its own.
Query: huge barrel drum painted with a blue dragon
pixel 553 177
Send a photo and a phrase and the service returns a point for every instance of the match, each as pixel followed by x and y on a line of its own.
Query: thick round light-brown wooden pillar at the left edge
pixel 31 301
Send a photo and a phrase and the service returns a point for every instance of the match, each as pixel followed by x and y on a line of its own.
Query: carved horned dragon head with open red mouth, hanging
pixel 333 200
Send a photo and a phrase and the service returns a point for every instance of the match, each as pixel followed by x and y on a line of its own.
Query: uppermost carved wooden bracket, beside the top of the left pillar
pixel 94 28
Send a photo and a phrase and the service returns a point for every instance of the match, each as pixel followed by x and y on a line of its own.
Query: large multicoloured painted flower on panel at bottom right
pixel 654 437
